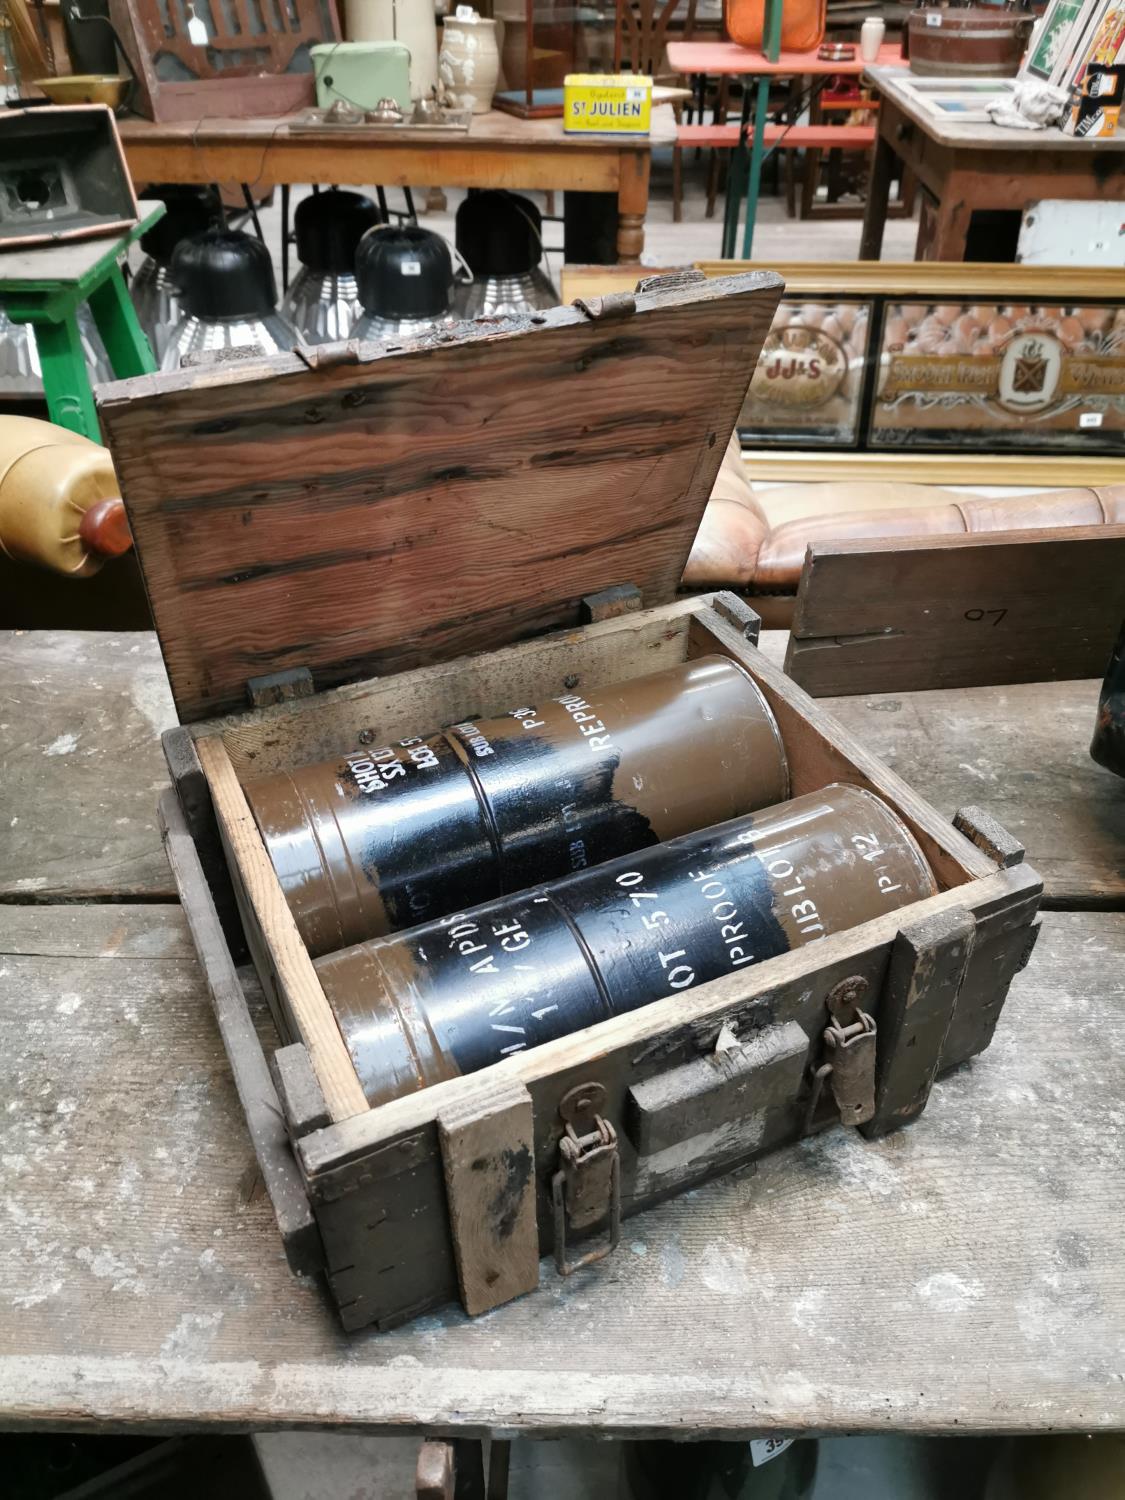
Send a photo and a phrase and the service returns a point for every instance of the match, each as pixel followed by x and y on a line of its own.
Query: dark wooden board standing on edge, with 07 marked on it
pixel 917 613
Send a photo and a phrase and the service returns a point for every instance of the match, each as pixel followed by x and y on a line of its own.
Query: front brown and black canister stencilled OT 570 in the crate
pixel 464 992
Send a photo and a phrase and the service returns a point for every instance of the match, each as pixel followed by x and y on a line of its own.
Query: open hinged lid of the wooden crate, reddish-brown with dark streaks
pixel 359 511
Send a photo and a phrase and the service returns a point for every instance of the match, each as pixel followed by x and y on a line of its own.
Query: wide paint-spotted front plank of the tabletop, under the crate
pixel 143 1283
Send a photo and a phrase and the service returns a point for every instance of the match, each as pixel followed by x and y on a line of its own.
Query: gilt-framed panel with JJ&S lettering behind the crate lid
pixel 877 358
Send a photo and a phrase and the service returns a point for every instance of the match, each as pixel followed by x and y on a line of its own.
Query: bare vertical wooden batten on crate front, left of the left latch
pixel 488 1153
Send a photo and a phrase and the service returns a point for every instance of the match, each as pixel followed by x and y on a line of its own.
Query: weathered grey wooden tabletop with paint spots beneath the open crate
pixel 964 1276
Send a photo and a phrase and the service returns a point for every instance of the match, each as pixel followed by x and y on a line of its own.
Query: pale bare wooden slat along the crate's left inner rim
pixel 305 1000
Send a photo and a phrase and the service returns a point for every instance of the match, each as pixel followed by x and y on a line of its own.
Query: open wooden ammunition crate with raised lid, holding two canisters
pixel 452 1192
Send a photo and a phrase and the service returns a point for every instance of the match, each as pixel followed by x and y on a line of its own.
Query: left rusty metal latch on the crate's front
pixel 587 1187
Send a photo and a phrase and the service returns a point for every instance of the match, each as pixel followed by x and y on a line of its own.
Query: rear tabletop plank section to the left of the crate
pixel 80 721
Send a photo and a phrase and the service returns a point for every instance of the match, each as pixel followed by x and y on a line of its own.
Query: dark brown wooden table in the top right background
pixel 968 167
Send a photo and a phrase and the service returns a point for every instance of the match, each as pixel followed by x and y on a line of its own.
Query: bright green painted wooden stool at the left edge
pixel 46 286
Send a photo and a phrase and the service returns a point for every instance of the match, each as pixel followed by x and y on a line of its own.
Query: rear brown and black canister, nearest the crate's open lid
pixel 400 835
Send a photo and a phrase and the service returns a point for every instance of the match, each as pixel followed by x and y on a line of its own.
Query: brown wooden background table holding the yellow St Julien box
pixel 497 152
